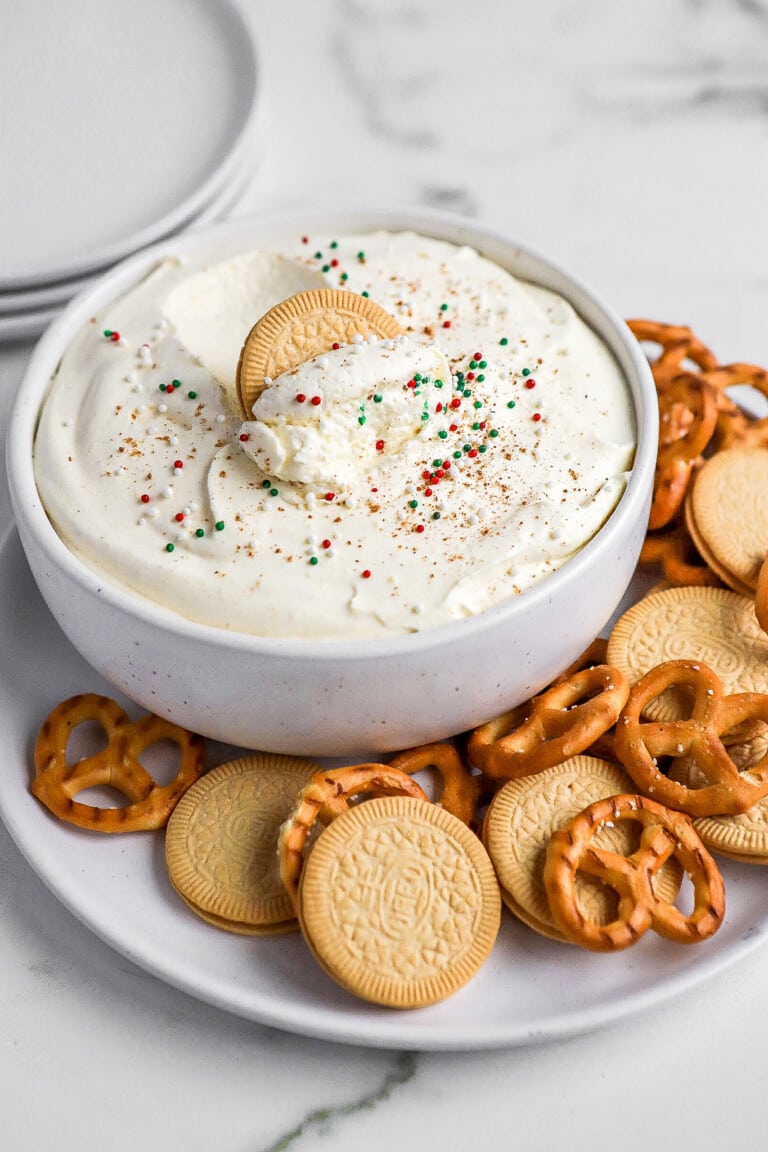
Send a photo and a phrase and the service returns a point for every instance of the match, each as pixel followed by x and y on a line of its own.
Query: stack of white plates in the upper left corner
pixel 124 124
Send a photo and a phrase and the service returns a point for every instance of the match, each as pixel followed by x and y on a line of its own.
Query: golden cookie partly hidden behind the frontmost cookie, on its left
pixel 222 844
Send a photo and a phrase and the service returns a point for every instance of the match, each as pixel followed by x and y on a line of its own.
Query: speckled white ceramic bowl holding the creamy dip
pixel 324 698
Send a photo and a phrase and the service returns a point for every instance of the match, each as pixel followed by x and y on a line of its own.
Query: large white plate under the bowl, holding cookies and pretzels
pixel 530 990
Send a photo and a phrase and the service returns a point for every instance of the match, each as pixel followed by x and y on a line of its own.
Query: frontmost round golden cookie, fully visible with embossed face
pixel 399 903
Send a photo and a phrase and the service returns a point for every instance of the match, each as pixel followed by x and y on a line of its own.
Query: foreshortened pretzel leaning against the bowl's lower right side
pixel 552 727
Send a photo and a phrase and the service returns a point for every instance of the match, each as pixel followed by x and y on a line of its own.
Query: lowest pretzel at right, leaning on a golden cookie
pixel 665 835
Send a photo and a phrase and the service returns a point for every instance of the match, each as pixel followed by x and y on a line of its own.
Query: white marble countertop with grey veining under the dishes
pixel 628 142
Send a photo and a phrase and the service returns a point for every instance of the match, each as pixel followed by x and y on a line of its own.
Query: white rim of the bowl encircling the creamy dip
pixel 227 239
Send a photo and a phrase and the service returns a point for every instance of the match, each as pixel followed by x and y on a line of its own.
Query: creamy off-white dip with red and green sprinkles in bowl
pixel 383 488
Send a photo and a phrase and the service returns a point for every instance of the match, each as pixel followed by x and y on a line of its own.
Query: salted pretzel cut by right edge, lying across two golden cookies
pixel 641 745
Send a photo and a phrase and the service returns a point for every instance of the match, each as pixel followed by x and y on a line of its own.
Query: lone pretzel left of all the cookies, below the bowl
pixel 118 767
